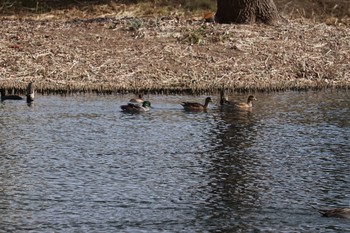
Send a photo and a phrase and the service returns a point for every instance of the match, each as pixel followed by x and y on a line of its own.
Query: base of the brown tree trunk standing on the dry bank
pixel 247 11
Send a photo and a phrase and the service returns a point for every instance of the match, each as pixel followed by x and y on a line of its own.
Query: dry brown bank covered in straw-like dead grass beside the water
pixel 118 52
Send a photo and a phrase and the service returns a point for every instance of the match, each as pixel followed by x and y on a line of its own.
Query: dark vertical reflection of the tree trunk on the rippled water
pixel 235 179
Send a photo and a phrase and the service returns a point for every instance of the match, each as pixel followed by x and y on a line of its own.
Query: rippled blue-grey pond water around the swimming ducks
pixel 79 164
